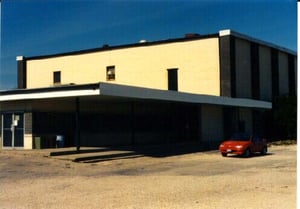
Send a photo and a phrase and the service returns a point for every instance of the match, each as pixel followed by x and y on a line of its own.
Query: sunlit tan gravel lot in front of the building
pixel 28 179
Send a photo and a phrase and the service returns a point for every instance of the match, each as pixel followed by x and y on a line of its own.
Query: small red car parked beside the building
pixel 243 144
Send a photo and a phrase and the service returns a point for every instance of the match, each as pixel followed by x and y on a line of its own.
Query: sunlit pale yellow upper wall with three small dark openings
pixel 197 62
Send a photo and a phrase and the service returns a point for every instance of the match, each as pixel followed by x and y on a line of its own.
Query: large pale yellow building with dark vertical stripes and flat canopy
pixel 199 88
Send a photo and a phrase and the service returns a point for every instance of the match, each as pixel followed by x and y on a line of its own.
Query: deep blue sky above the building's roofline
pixel 39 27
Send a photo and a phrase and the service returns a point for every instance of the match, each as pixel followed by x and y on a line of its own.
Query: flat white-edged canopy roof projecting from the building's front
pixel 115 91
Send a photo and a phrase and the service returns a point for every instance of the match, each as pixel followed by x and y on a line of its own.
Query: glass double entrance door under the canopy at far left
pixel 13 130
